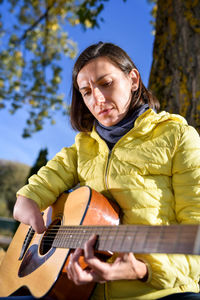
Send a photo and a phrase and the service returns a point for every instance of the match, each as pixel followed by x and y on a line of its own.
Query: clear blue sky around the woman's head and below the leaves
pixel 125 24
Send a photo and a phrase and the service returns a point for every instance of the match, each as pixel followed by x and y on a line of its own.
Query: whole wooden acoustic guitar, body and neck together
pixel 37 263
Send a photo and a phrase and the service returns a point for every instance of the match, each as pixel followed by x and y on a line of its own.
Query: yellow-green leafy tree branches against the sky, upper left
pixel 33 41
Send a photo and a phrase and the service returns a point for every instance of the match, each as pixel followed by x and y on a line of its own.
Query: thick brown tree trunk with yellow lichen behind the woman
pixel 175 73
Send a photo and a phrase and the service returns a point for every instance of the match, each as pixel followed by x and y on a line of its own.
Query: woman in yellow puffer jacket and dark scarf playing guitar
pixel 147 162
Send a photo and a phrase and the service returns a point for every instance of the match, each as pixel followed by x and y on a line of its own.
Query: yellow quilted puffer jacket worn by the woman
pixel 153 172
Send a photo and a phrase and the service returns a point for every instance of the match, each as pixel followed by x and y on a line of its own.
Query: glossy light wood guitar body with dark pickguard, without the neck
pixel 42 270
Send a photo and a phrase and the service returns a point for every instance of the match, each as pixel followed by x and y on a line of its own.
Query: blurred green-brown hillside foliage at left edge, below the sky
pixel 12 176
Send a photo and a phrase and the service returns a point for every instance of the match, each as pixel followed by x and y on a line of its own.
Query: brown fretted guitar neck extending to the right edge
pixel 132 238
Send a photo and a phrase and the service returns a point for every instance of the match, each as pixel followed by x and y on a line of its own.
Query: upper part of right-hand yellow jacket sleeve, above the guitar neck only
pixel 186 177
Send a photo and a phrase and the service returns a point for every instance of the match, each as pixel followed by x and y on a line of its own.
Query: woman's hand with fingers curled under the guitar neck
pixel 125 267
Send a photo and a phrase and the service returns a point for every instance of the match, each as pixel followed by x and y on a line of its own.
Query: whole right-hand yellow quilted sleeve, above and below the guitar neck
pixel 169 271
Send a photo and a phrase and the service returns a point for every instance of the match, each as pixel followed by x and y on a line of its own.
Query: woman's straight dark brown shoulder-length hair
pixel 81 117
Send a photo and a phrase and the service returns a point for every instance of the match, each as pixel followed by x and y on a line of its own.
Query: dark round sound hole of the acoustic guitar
pixel 49 236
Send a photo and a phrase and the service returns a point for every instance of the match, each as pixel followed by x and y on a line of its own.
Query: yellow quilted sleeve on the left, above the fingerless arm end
pixel 58 175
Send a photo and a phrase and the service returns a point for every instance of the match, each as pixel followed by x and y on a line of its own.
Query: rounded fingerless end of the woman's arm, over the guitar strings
pixel 28 212
